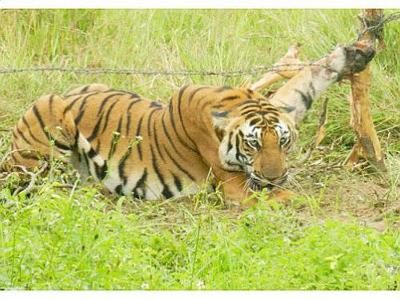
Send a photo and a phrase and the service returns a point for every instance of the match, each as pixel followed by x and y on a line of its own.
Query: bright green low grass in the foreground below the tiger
pixel 58 241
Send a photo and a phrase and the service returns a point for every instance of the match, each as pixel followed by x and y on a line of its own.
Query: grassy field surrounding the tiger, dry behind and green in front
pixel 341 232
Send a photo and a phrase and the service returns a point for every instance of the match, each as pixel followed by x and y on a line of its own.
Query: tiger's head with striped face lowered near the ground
pixel 255 138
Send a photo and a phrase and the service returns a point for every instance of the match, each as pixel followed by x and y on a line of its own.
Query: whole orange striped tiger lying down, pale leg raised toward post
pixel 148 150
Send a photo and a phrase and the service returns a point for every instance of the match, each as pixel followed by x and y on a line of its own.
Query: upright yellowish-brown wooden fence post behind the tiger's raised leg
pixel 367 145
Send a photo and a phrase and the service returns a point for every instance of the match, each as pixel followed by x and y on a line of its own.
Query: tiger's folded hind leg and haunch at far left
pixel 43 132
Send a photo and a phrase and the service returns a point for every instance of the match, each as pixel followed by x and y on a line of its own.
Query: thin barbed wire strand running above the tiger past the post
pixel 190 72
